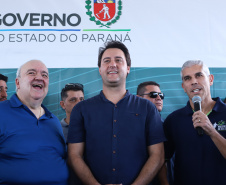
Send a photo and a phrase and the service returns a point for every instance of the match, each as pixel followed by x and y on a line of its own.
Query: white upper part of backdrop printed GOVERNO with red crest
pixel 68 34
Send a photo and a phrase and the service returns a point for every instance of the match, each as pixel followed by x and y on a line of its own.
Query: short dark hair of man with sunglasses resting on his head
pixel 71 87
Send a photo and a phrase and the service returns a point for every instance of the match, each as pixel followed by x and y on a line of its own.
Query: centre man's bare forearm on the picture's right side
pixel 153 164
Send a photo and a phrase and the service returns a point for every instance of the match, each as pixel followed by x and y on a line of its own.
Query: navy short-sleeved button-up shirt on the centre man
pixel 116 136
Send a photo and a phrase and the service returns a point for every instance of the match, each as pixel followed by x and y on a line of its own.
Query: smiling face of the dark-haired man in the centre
pixel 113 69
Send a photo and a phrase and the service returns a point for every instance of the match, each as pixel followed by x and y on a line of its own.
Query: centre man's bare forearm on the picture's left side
pixel 75 160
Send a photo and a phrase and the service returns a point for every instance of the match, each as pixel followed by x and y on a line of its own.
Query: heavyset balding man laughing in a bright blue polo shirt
pixel 33 149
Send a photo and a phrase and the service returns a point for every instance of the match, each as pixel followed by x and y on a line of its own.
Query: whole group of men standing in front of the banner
pixel 114 137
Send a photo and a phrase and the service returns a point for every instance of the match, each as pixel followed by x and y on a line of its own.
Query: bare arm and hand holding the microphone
pixel 207 126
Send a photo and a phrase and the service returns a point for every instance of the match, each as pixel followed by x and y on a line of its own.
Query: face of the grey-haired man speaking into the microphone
pixel 196 82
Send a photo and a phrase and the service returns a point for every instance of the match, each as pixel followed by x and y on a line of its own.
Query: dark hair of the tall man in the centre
pixel 114 44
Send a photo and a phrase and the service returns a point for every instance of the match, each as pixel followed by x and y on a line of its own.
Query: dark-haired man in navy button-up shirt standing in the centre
pixel 115 137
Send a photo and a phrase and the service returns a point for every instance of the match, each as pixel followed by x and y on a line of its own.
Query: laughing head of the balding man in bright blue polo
pixel 33 82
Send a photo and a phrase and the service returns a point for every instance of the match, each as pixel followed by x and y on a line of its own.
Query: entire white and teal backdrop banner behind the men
pixel 160 35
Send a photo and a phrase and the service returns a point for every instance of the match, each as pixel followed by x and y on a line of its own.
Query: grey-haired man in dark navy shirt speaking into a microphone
pixel 199 158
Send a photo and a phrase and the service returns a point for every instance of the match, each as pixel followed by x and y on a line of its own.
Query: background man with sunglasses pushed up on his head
pixel 71 94
